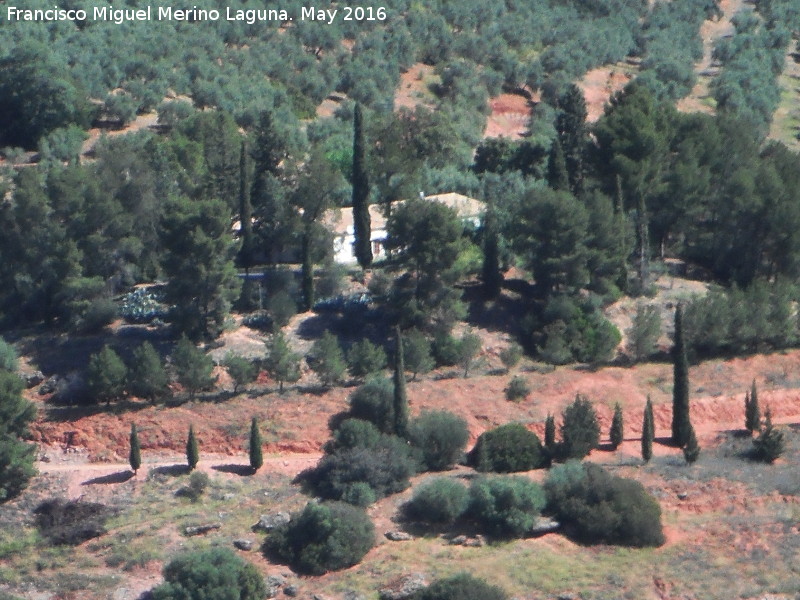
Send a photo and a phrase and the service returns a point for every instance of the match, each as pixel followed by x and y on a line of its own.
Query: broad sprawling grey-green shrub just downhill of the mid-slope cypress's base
pixel 385 467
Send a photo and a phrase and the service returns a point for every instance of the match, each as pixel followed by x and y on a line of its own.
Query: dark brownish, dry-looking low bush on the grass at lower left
pixel 71 522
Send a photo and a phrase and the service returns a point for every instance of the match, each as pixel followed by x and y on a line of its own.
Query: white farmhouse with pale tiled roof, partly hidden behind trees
pixel 341 223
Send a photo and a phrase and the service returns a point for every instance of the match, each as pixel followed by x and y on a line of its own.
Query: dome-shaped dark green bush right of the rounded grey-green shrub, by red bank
pixel 507 449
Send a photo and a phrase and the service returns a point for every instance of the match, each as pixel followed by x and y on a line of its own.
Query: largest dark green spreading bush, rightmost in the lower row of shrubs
pixel 597 507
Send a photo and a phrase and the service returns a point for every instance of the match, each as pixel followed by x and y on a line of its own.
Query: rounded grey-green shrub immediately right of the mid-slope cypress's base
pixel 441 437
